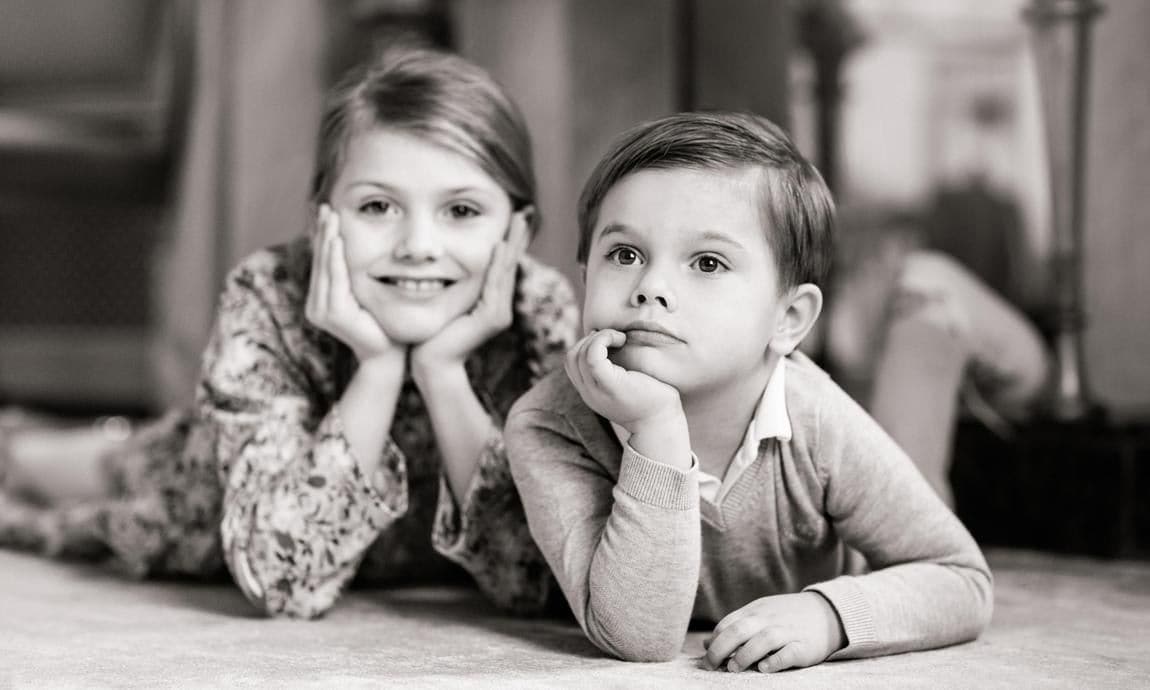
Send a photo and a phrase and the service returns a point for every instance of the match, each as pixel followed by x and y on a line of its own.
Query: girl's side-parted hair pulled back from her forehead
pixel 440 98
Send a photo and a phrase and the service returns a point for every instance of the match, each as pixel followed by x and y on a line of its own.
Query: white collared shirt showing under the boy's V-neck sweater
pixel 770 421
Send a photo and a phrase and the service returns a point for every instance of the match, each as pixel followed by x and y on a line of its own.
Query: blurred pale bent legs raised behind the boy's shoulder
pixel 918 339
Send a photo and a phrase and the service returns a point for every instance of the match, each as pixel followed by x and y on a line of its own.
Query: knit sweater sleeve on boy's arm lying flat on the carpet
pixel 930 585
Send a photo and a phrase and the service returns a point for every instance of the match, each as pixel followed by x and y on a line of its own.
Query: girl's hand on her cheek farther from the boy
pixel 332 305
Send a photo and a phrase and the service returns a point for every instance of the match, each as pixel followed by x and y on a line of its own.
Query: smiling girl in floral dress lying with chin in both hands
pixel 354 390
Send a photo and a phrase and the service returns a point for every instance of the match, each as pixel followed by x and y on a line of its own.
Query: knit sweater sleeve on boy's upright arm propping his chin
pixel 626 554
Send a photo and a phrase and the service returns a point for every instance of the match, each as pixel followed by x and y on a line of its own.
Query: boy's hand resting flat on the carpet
pixel 777 633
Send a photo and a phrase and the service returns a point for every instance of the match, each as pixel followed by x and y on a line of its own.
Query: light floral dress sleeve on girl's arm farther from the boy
pixel 298 513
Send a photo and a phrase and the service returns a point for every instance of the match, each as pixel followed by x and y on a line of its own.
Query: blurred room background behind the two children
pixel 149 145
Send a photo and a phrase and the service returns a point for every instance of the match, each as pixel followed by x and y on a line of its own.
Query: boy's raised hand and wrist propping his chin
pixel 646 407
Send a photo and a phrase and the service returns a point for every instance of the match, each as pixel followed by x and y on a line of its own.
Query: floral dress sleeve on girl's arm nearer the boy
pixel 487 531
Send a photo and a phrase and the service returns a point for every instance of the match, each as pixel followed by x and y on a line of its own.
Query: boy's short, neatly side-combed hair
pixel 798 208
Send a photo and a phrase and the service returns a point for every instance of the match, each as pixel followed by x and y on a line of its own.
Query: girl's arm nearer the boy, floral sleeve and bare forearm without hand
pixel 480 523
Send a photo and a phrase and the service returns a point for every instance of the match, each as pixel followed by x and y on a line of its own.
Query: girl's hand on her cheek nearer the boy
pixel 490 315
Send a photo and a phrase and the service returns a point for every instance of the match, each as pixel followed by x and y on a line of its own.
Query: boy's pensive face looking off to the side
pixel 680 263
